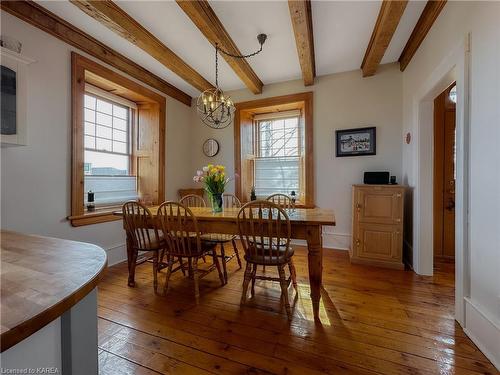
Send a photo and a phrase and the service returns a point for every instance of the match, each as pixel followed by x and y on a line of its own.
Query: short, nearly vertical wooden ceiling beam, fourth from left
pixel 301 15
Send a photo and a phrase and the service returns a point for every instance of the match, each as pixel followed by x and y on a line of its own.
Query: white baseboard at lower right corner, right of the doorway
pixel 483 331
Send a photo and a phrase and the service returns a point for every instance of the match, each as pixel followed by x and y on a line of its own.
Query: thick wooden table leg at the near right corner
pixel 315 263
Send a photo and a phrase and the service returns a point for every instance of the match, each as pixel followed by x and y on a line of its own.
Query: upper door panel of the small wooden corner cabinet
pixel 382 206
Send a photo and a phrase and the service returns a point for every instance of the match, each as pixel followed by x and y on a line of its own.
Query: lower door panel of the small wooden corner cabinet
pixel 378 241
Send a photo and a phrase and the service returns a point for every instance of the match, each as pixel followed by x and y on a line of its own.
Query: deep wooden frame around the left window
pixel 84 70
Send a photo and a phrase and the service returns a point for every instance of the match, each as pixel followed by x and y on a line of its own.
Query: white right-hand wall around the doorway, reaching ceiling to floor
pixel 482 21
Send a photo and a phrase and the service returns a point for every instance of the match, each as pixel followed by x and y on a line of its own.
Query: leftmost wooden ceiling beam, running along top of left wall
pixel 41 18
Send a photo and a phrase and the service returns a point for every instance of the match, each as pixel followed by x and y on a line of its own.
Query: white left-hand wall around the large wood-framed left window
pixel 35 179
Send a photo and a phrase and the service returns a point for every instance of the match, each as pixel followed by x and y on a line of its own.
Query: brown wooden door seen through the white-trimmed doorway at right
pixel 444 173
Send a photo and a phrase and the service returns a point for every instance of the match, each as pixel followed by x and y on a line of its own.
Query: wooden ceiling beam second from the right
pixel 388 19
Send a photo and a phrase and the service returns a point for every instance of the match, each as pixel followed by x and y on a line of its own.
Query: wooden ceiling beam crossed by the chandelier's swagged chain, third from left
pixel 203 16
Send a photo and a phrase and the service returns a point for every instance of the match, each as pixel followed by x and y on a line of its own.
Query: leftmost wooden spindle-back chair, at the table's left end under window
pixel 143 236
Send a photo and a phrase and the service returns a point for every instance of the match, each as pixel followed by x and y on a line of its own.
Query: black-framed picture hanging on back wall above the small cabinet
pixel 356 142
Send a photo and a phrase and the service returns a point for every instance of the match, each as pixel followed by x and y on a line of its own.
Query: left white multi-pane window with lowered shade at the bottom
pixel 108 147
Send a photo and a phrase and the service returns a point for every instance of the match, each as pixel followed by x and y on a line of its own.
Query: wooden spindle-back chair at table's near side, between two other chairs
pixel 183 240
